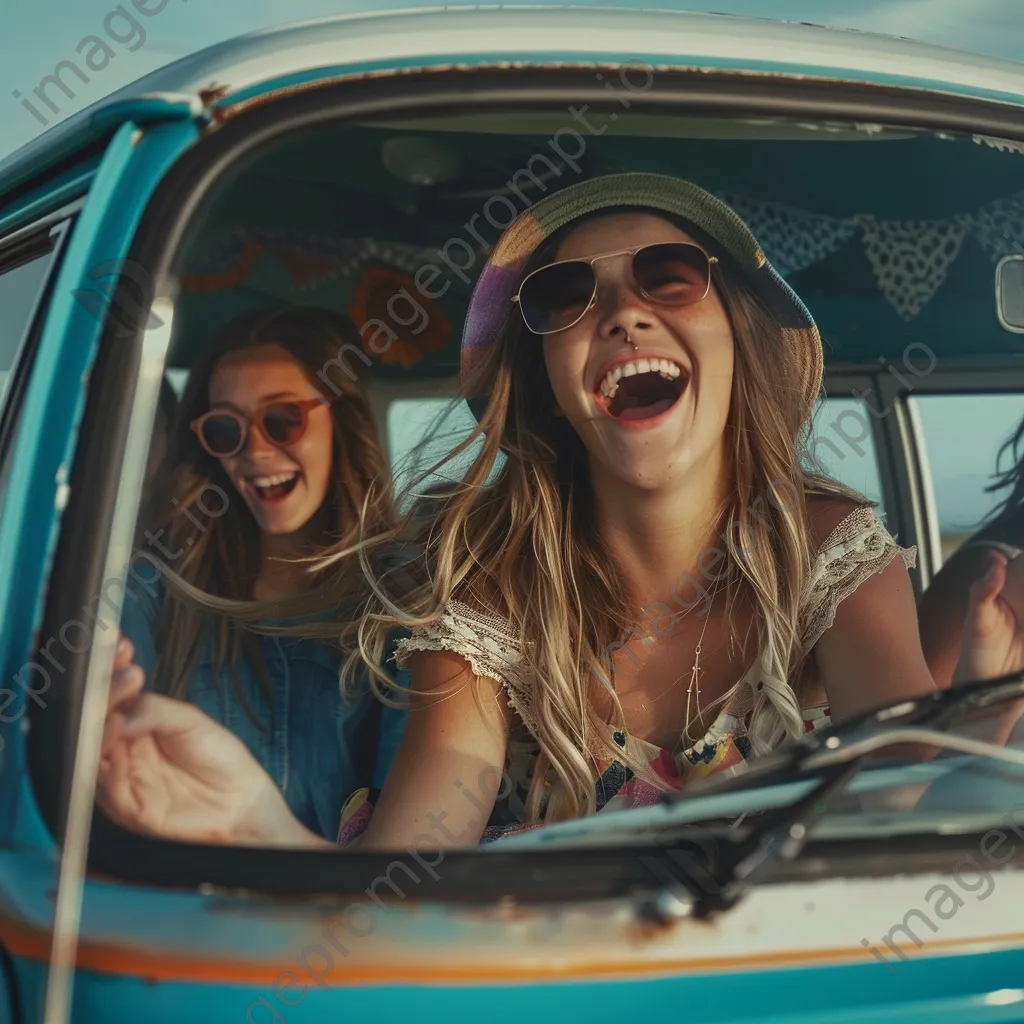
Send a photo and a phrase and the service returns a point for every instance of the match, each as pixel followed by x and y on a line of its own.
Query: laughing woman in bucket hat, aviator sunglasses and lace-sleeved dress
pixel 649 590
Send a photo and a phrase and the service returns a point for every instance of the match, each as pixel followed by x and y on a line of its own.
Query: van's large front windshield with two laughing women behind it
pixel 615 494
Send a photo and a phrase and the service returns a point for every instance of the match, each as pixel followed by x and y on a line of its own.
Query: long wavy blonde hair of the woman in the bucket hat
pixel 490 537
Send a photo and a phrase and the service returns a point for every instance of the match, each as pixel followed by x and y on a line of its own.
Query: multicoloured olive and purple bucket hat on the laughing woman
pixel 491 304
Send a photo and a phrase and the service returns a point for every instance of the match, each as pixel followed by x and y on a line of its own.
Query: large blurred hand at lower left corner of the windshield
pixel 167 770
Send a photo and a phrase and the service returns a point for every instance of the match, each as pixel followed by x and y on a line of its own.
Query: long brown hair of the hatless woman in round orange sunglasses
pixel 196 510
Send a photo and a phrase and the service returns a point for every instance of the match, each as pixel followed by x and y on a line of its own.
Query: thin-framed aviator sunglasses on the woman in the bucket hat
pixel 559 296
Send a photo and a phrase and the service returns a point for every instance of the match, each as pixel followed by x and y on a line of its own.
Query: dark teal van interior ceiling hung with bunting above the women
pixel 391 223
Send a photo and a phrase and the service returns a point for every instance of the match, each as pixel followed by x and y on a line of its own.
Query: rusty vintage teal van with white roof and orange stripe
pixel 366 164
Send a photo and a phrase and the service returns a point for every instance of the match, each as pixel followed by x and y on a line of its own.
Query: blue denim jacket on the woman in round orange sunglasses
pixel 319 748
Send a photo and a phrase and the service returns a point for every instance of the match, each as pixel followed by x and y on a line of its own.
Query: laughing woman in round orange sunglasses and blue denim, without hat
pixel 263 473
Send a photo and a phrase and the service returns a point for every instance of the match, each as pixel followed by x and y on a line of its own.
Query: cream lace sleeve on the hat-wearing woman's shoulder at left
pixel 486 642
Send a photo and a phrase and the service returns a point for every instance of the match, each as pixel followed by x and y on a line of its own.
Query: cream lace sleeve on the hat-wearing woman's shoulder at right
pixel 858 549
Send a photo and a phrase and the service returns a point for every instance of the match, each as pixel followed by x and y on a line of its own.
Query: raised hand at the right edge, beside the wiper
pixel 994 633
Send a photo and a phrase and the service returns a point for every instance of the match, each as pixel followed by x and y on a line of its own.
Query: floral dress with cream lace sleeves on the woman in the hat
pixel 858 549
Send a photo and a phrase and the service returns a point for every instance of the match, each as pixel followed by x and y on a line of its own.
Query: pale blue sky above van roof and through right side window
pixel 39 34
